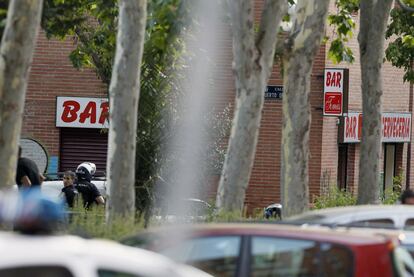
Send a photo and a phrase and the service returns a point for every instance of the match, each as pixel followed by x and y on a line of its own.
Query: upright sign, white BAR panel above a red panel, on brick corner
pixel 335 91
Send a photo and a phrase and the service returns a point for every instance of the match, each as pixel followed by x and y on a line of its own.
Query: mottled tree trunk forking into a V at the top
pixel 253 61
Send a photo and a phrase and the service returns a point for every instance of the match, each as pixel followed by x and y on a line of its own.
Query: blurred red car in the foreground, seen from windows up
pixel 275 250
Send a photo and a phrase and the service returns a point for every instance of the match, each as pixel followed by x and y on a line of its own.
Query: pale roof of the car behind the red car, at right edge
pixel 375 210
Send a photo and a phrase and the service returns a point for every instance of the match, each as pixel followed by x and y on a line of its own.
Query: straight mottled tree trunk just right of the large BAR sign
pixel 124 96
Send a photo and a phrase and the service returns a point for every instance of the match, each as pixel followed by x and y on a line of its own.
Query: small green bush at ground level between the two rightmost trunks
pixel 334 198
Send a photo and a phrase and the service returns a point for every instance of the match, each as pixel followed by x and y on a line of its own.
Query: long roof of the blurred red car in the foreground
pixel 318 233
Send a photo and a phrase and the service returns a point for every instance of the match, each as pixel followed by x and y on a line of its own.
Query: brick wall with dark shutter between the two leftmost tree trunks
pixel 52 75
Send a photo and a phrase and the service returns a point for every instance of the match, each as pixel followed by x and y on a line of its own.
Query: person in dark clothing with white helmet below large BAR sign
pixel 90 193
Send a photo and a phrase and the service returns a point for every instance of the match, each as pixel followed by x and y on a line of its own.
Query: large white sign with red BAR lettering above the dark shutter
pixel 82 112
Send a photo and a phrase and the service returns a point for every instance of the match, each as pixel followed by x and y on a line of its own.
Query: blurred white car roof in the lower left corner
pixel 26 250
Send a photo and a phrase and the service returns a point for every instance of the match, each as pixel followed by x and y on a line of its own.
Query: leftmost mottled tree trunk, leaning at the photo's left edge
pixel 17 45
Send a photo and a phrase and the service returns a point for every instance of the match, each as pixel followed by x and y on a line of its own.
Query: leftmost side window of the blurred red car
pixel 215 255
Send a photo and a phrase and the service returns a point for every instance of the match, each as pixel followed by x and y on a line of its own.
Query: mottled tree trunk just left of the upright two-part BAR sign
pixel 303 44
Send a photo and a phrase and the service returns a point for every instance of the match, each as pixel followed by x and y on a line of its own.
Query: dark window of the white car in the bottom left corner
pixel 36 271
